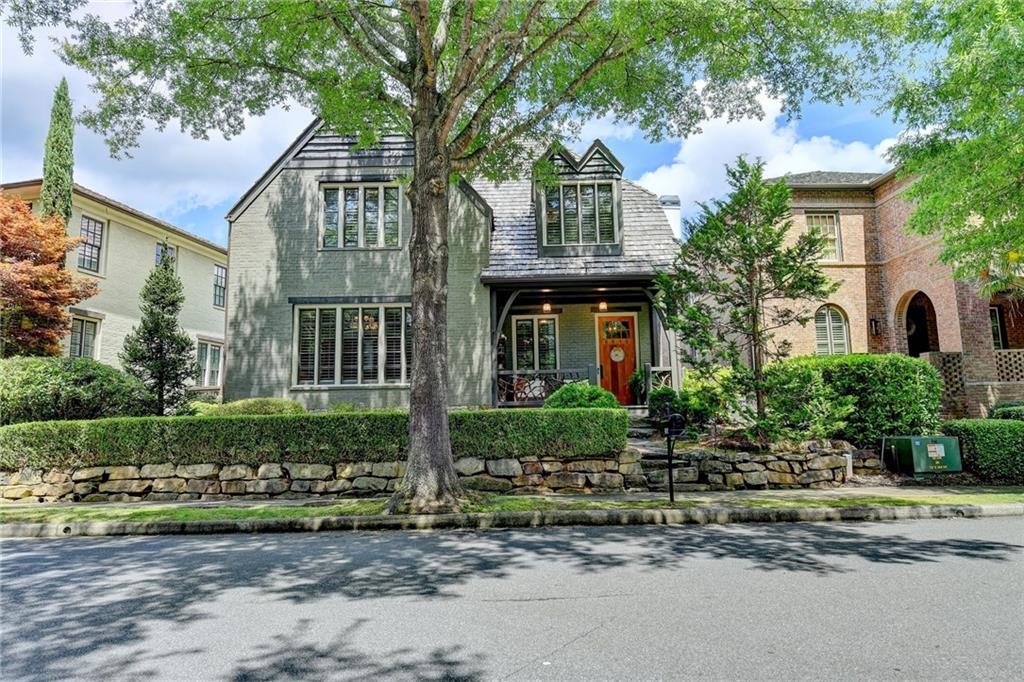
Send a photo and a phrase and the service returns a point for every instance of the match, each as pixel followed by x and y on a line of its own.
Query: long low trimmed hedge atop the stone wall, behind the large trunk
pixel 324 439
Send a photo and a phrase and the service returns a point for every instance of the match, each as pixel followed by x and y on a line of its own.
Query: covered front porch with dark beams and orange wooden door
pixel 545 335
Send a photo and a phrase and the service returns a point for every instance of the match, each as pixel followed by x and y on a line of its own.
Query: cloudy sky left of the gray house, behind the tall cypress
pixel 172 174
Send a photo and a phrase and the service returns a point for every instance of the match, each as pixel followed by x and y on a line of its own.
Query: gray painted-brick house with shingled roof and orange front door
pixel 546 285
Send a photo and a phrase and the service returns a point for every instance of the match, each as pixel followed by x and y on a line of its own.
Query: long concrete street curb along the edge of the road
pixel 699 516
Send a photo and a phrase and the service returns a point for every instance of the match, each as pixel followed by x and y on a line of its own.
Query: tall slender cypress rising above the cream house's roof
pixel 59 160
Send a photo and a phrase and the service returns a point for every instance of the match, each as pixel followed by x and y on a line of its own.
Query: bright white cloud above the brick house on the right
pixel 698 173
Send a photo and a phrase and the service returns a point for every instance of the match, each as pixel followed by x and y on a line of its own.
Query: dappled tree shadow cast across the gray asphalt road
pixel 66 600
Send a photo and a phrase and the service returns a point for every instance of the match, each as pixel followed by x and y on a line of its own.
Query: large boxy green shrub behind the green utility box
pixel 892 395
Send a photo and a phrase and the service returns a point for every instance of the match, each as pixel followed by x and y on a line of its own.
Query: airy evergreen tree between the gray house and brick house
pixel 739 278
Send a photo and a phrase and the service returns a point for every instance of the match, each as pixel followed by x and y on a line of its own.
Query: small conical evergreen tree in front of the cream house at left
pixel 158 352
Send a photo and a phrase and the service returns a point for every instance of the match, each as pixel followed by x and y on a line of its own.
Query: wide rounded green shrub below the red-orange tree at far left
pixel 51 389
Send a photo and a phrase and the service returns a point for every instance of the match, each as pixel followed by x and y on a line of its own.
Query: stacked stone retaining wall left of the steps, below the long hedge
pixel 163 483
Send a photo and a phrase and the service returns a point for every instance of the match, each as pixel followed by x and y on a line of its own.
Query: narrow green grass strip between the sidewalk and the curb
pixel 480 503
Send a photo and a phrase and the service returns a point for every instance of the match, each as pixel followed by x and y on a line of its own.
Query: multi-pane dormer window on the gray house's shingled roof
pixel 580 214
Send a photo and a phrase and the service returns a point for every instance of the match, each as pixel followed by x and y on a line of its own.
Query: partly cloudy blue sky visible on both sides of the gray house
pixel 192 184
